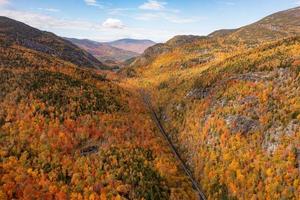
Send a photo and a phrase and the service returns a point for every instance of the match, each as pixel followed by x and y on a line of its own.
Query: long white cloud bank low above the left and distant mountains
pixel 85 29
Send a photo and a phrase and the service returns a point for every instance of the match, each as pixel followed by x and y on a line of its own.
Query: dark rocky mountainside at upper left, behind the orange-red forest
pixel 15 34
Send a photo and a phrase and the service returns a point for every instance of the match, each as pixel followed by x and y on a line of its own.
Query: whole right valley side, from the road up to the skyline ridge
pixel 231 105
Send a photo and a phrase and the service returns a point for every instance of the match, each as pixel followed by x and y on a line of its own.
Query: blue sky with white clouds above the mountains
pixel 158 20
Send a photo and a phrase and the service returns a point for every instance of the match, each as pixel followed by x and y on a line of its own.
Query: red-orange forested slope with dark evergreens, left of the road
pixel 68 133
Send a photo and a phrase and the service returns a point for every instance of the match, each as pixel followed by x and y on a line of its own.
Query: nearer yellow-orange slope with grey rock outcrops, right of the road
pixel 238 123
